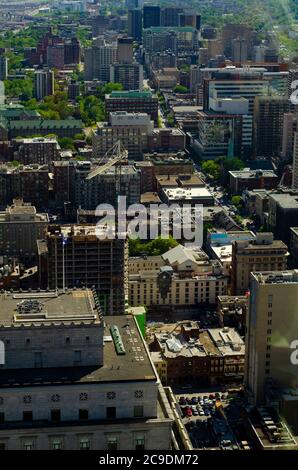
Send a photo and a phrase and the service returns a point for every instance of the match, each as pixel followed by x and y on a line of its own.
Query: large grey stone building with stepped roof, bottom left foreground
pixel 75 380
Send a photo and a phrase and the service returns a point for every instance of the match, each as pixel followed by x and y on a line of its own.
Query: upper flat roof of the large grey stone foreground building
pixel 40 308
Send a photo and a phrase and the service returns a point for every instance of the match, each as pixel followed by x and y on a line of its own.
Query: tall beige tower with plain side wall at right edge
pixel 272 327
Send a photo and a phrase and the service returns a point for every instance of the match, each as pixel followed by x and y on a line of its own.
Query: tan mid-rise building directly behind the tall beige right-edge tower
pixel 261 254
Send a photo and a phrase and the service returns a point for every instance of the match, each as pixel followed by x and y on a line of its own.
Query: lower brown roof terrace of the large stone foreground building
pixel 134 366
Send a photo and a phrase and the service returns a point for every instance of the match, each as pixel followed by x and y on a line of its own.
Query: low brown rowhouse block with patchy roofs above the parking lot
pixel 185 354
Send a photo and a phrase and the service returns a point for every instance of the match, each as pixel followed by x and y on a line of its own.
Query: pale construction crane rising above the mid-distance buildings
pixel 114 156
